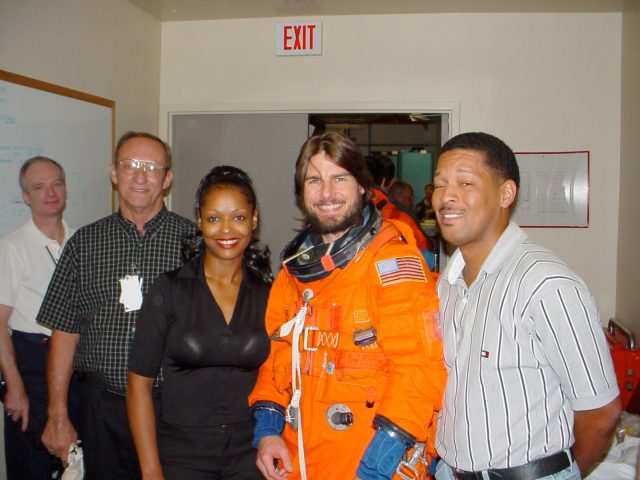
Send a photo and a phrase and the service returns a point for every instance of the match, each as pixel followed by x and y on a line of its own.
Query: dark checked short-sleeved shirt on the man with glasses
pixel 84 293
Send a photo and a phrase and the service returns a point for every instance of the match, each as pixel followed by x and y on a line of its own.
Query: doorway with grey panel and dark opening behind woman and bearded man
pixel 266 145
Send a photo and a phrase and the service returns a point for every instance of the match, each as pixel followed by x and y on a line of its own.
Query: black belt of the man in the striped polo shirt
pixel 539 468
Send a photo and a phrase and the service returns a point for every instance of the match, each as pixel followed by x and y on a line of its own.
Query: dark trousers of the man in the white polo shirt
pixel 26 457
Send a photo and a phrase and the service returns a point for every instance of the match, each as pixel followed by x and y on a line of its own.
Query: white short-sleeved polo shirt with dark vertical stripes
pixel 524 348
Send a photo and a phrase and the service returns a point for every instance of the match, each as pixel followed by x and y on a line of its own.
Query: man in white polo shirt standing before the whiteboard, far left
pixel 28 257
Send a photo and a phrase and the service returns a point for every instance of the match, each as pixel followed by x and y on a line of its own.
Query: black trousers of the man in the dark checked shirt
pixel 107 445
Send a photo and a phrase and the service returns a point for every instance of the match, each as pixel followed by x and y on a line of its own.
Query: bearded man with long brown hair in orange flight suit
pixel 365 375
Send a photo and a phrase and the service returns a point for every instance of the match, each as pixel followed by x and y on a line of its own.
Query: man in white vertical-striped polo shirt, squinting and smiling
pixel 531 391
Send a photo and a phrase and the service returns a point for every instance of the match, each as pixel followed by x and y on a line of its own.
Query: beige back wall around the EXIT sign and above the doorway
pixel 542 82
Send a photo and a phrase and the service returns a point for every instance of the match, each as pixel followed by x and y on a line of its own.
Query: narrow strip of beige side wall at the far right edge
pixel 628 292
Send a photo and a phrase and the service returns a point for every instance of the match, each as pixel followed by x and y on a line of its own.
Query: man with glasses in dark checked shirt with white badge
pixel 93 301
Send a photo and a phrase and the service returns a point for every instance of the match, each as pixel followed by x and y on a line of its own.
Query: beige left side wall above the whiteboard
pixel 108 48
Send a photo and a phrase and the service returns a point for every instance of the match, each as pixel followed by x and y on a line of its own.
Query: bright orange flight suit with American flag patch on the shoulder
pixel 400 376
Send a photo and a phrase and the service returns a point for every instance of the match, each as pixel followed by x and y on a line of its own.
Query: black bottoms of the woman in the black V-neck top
pixel 221 452
